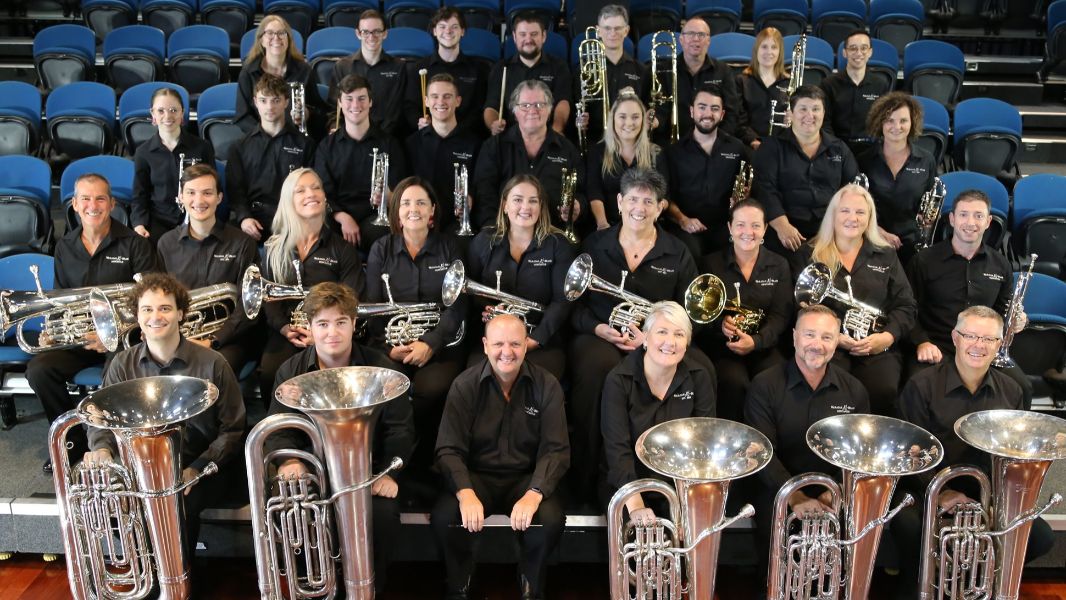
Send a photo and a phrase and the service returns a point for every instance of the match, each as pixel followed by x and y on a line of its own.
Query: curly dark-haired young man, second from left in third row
pixel 260 164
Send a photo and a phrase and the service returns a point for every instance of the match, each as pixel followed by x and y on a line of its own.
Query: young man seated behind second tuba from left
pixel 331 310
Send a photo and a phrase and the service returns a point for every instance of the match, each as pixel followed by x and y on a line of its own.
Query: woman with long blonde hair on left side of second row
pixel 301 233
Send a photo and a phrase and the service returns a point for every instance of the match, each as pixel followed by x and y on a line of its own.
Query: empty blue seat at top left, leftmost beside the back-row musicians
pixel 64 54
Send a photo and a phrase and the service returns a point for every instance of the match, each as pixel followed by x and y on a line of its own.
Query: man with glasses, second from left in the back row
pixel 387 75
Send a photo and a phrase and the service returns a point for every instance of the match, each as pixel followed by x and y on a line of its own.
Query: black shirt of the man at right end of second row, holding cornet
pixel 946 283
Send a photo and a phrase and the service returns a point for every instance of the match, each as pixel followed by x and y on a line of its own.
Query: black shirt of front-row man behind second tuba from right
pixel 783 407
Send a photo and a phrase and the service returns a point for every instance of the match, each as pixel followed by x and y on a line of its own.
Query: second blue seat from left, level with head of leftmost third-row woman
pixel 82 119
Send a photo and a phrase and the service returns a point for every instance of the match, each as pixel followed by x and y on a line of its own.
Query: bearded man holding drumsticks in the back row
pixel 529 63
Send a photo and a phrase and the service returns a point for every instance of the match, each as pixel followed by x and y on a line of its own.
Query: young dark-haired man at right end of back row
pixel 851 92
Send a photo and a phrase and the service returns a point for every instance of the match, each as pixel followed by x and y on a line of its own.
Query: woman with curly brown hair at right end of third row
pixel 900 172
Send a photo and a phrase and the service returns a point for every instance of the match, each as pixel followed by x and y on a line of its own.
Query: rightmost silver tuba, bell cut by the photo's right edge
pixel 980 553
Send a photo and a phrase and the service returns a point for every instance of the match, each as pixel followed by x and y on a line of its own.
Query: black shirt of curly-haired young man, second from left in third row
pixel 257 168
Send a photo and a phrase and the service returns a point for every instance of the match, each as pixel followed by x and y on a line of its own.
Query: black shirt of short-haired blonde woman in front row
pixel 629 409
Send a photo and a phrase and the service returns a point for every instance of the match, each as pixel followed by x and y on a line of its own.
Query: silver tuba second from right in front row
pixel 818 556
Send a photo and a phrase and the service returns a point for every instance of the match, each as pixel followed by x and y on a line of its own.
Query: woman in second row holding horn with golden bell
pixel 758 280
